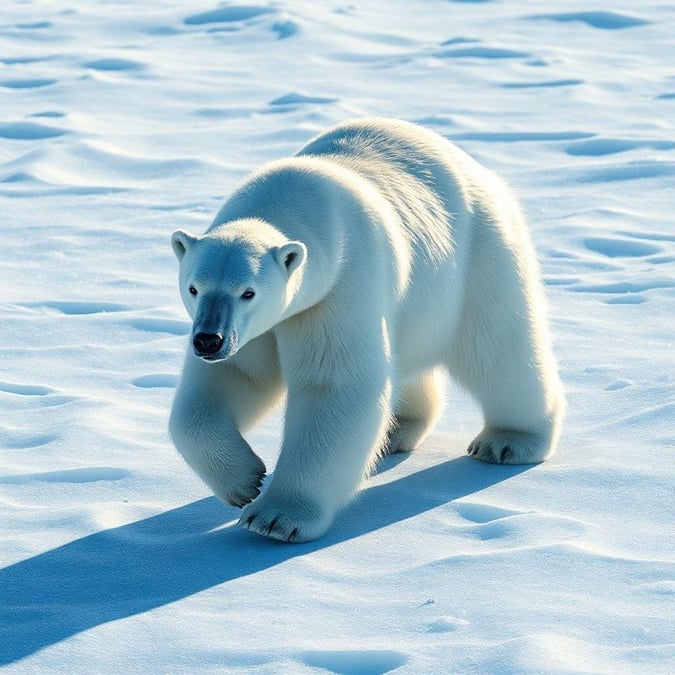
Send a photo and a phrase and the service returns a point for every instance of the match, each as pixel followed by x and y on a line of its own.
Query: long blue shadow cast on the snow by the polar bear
pixel 123 571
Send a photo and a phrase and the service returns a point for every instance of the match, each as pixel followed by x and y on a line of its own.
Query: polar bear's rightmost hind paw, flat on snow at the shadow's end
pixel 508 447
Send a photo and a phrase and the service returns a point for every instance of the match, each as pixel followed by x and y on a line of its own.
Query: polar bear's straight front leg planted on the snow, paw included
pixel 332 437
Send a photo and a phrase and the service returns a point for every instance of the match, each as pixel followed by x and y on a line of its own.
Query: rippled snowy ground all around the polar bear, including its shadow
pixel 121 121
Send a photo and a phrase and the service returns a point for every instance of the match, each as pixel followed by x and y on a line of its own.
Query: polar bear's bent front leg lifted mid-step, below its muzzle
pixel 212 404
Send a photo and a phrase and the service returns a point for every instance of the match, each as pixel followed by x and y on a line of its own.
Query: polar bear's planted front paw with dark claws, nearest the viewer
pixel 293 520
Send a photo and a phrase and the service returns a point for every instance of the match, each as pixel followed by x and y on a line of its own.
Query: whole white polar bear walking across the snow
pixel 349 276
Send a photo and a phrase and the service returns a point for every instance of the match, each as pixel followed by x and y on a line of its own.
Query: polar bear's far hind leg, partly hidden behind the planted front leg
pixel 416 411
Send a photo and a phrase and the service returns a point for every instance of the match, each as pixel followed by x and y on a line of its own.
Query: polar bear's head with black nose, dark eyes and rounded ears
pixel 236 282
